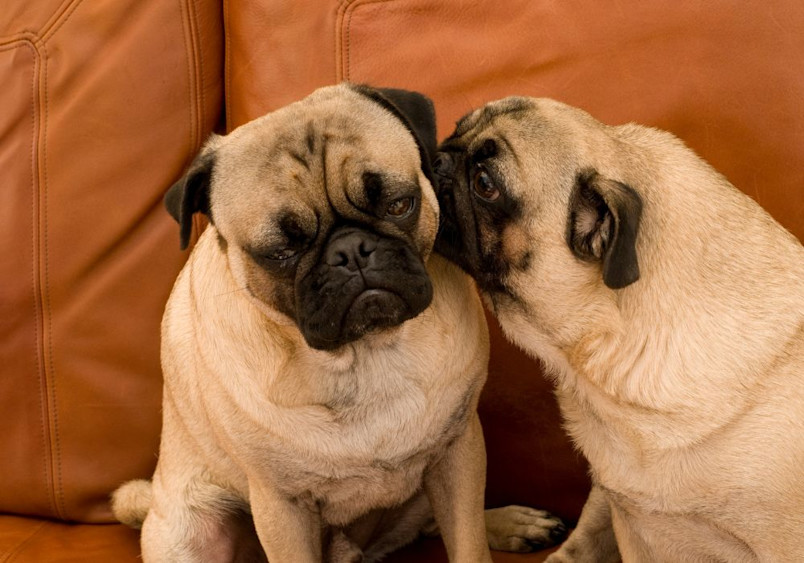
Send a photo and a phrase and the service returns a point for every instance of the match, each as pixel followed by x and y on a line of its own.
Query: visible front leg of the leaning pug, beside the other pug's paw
pixel 593 539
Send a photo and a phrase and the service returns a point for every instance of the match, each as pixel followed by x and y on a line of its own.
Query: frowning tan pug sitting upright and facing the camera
pixel 322 368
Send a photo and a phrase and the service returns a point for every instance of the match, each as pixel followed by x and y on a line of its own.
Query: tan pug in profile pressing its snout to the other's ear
pixel 669 308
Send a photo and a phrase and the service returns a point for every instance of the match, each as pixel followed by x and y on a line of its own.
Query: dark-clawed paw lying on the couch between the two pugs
pixel 522 529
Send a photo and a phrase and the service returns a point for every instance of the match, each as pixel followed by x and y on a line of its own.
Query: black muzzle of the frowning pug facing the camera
pixel 363 282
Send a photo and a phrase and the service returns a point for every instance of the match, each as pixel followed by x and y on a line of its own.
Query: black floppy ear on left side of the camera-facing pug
pixel 190 194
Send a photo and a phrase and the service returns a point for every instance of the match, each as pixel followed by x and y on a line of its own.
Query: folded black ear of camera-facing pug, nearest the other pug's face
pixel 416 111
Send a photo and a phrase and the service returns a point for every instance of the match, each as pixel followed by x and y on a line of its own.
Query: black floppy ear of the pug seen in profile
pixel 603 223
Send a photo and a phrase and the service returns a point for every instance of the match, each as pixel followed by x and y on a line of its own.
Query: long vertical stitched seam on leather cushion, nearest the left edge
pixel 58 488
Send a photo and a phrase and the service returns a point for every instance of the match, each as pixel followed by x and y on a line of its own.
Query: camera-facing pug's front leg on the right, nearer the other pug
pixel 455 487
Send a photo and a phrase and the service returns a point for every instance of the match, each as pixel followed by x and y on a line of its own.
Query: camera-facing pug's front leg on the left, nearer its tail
pixel 289 530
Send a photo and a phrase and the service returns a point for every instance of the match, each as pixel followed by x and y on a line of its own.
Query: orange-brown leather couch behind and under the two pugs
pixel 102 105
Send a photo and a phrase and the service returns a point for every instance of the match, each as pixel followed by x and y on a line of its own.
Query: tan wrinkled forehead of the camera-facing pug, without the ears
pixel 336 154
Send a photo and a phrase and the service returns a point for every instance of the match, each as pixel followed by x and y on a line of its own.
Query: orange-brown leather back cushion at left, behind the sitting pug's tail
pixel 102 106
